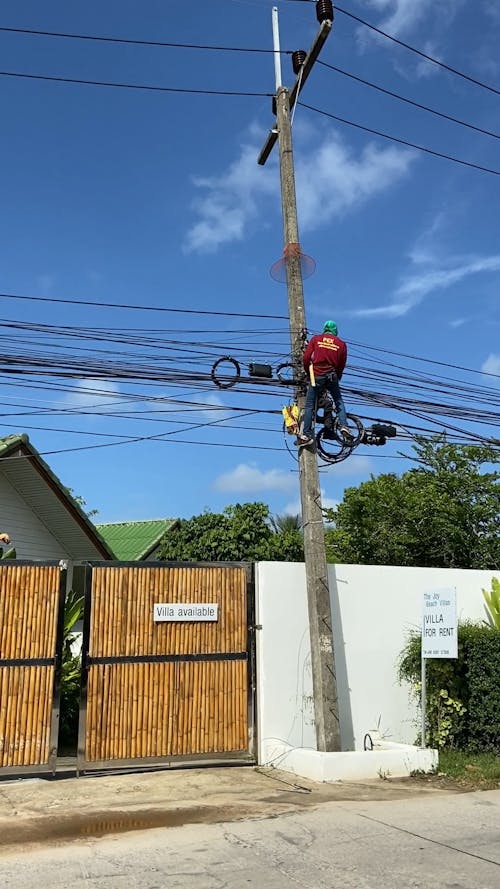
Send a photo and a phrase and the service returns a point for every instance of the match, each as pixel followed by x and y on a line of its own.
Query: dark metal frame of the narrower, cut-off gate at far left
pixel 55 661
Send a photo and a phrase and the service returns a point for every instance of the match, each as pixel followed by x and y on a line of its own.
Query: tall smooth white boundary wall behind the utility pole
pixel 373 609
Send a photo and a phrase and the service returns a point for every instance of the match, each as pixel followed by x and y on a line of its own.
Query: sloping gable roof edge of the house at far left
pixel 53 504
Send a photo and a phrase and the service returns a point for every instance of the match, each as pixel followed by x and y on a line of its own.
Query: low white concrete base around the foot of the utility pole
pixel 384 761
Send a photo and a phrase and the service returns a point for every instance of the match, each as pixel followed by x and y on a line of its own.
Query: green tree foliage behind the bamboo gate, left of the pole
pixel 239 533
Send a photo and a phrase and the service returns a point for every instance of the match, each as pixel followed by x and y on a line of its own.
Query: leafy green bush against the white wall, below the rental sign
pixel 463 695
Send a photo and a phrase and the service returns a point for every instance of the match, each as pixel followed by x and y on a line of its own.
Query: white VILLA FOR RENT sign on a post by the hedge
pixel 439 624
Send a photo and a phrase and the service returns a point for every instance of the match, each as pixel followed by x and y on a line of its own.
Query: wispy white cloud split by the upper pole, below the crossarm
pixel 330 181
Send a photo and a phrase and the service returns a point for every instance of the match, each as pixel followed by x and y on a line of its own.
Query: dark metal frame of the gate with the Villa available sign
pixel 249 757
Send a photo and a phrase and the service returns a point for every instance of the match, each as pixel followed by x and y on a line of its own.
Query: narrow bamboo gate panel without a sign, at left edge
pixel 31 632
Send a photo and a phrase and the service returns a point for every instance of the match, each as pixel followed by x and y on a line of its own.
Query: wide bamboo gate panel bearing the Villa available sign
pixel 173 691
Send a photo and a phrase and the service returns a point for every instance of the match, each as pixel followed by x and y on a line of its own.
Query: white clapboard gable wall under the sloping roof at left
pixel 30 537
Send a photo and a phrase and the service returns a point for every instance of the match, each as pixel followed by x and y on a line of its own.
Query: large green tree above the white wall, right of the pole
pixel 444 512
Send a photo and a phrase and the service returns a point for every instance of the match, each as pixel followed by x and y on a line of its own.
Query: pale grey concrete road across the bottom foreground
pixel 437 842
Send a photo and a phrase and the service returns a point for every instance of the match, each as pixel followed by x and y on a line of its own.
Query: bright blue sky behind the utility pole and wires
pixel 156 199
